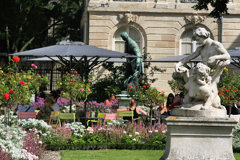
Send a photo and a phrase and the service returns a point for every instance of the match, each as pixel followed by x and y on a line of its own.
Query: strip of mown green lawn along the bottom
pixel 116 155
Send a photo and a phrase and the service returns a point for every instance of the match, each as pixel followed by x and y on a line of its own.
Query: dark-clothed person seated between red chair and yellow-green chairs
pixel 46 110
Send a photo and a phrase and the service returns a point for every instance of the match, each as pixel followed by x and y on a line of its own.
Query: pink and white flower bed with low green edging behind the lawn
pixel 112 136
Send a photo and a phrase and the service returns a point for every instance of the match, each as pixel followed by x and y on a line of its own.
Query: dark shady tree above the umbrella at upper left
pixel 27 23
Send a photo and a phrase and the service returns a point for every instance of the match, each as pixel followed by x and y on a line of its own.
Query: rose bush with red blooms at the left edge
pixel 19 85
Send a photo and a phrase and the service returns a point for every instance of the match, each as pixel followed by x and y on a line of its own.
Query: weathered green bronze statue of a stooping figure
pixel 134 66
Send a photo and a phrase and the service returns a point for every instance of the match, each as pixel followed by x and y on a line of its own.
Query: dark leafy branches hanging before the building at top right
pixel 219 7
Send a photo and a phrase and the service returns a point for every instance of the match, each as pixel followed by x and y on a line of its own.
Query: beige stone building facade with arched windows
pixel 160 27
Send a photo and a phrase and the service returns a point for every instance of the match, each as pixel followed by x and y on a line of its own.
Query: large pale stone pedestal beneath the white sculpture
pixel 199 138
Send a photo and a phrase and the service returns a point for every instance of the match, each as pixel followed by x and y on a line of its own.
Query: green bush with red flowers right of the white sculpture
pixel 229 87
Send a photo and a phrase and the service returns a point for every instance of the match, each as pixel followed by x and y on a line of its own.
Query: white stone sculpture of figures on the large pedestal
pixel 200 82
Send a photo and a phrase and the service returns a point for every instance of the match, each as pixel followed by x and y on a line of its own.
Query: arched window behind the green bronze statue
pixel 119 44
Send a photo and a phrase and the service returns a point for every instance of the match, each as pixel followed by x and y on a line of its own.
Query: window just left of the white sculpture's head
pixel 187 45
